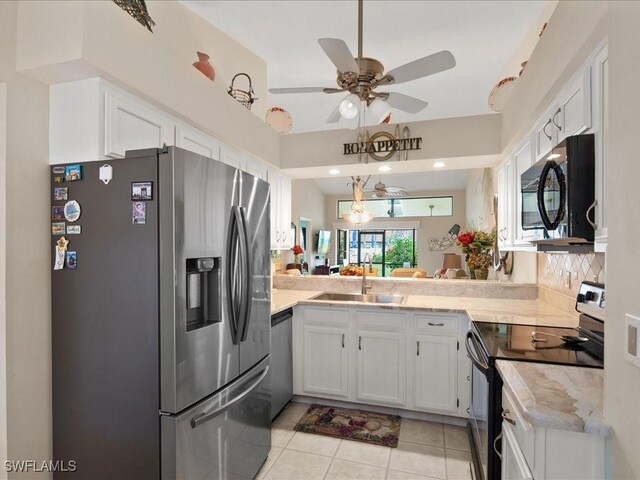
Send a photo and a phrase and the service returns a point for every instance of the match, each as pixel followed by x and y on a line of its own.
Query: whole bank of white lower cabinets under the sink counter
pixel 370 355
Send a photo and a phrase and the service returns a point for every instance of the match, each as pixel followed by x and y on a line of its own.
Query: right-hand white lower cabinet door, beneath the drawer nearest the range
pixel 436 373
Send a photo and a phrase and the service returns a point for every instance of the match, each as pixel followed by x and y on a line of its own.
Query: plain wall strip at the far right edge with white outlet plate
pixel 622 380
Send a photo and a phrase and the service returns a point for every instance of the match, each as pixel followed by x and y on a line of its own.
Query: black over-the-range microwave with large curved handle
pixel 558 194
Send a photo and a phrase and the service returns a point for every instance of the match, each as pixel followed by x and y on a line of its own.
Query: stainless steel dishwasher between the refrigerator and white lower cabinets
pixel 281 361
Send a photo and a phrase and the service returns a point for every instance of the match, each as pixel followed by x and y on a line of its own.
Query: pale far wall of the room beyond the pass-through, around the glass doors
pixel 436 227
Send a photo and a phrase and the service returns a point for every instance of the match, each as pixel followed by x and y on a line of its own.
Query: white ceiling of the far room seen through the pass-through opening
pixel 411 182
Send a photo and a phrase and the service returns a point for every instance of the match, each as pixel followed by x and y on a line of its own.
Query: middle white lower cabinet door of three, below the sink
pixel 381 367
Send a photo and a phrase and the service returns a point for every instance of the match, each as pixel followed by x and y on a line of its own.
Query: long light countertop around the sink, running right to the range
pixel 525 312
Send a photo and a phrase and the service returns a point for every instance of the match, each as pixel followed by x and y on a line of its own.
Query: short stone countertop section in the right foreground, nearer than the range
pixel 560 397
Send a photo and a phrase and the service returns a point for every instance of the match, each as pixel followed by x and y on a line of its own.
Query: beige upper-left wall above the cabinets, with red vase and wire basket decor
pixel 62 41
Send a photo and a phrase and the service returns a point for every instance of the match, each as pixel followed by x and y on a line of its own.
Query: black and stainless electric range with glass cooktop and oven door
pixel 582 346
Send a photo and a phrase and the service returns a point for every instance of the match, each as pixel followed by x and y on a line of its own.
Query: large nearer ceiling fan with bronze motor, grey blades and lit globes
pixel 360 76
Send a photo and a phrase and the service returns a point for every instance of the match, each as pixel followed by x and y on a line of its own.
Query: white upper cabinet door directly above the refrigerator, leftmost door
pixel 131 125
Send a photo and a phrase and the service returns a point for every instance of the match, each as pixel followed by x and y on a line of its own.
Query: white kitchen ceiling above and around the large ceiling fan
pixel 482 35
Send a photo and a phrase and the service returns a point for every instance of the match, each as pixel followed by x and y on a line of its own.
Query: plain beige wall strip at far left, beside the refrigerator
pixel 28 256
